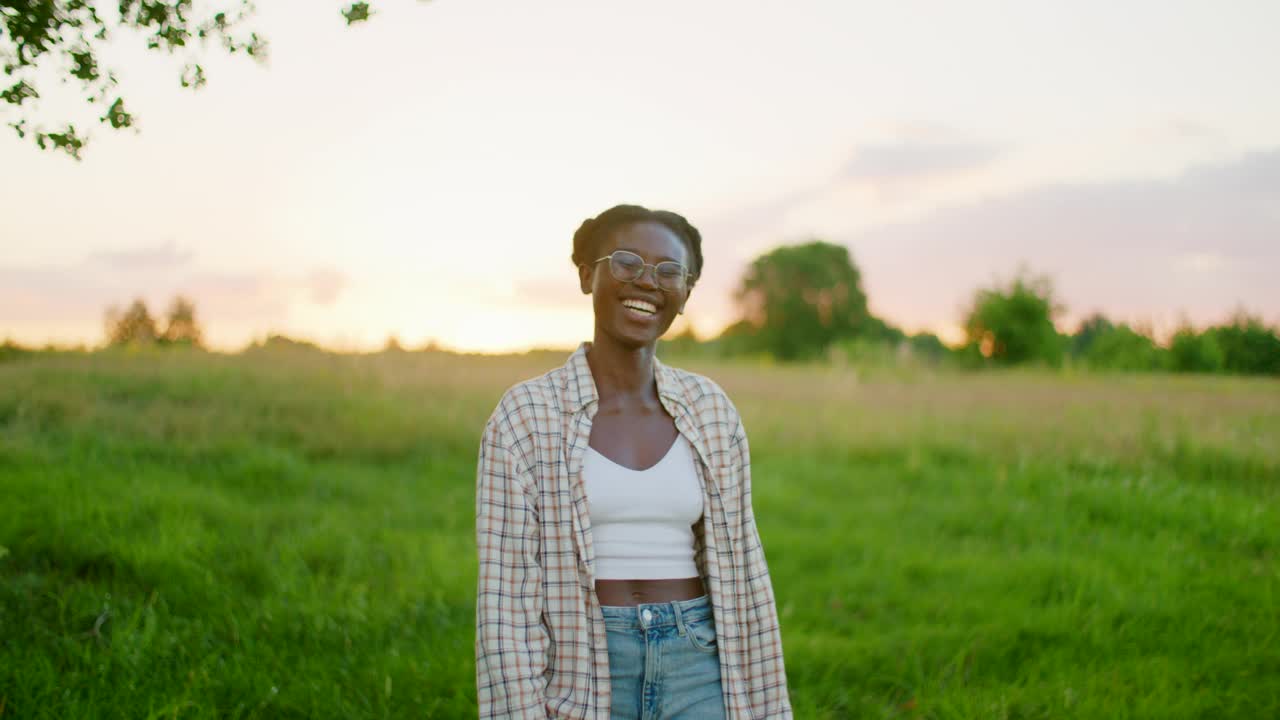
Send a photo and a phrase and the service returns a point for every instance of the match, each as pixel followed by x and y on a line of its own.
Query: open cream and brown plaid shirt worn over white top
pixel 541 641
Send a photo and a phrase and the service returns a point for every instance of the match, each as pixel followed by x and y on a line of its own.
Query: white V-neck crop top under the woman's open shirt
pixel 642 521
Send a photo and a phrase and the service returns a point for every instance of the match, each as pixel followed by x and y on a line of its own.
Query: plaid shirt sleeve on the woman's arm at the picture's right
pixel 767 678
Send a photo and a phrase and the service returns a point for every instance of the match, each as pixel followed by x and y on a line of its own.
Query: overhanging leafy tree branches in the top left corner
pixel 65 38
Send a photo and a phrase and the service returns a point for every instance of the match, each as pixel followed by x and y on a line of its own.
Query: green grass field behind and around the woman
pixel 291 536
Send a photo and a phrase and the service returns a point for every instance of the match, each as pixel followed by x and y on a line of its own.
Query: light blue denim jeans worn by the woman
pixel 664 662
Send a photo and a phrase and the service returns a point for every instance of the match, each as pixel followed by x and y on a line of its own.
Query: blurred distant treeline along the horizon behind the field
pixel 806 303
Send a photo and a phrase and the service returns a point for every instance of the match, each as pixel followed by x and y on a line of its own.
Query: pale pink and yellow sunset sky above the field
pixel 422 175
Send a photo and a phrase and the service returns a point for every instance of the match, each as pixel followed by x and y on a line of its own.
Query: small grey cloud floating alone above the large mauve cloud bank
pixel 917 161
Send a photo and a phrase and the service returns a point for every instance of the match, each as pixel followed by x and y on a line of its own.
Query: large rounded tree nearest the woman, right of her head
pixel 798 299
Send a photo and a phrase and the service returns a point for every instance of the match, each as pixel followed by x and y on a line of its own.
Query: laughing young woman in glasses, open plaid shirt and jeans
pixel 621 572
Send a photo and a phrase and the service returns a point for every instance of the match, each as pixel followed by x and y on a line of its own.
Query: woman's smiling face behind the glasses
pixel 634 327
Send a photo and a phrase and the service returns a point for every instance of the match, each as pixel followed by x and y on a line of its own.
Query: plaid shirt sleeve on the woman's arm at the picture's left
pixel 511 639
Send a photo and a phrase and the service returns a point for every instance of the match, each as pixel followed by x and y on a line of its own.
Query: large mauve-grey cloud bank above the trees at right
pixel 1201 244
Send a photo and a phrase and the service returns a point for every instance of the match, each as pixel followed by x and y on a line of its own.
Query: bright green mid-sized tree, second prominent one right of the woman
pixel 1014 325
